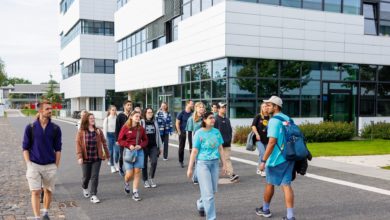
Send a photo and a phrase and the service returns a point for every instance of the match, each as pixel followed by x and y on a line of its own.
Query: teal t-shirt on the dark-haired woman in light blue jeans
pixel 207 143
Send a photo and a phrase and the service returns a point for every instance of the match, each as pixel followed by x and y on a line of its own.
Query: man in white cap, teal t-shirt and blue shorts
pixel 278 169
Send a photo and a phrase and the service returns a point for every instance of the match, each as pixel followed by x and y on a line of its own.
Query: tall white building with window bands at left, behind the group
pixel 88 53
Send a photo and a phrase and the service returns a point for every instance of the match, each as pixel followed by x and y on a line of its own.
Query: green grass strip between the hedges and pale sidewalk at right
pixel 350 148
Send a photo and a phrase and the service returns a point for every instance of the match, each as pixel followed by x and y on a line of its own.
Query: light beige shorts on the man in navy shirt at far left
pixel 41 176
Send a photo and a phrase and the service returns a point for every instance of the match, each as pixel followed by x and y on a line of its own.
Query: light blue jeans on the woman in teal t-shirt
pixel 207 172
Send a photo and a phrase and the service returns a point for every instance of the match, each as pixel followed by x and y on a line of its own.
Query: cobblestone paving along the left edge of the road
pixel 14 192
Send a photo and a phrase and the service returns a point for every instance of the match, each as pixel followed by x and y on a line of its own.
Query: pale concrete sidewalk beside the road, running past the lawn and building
pixel 361 165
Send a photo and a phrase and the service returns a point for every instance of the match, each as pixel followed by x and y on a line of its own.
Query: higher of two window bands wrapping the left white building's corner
pixel 92 27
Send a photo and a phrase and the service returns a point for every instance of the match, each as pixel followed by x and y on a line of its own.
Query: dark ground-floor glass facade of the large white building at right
pixel 332 91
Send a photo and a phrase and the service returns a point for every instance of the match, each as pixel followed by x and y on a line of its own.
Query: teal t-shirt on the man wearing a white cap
pixel 275 130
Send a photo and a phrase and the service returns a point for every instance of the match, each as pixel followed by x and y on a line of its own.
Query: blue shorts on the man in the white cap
pixel 280 174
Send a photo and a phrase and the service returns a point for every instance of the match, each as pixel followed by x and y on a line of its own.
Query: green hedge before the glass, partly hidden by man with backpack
pixel 322 132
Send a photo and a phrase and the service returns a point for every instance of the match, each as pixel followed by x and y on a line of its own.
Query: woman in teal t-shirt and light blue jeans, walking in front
pixel 207 150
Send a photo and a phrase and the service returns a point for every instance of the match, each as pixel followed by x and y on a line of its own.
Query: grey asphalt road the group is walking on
pixel 175 196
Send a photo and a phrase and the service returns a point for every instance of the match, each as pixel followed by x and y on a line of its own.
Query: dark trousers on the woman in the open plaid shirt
pixel 91 173
